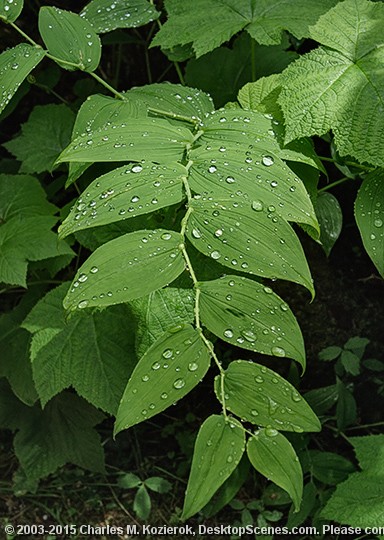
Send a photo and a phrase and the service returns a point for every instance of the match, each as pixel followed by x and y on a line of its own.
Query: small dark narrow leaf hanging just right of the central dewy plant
pixel 330 218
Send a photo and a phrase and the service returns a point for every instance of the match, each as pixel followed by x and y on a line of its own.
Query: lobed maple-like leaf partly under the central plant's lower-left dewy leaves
pixel 92 352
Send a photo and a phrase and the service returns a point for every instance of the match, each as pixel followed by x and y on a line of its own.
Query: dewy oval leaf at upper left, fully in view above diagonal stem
pixel 70 38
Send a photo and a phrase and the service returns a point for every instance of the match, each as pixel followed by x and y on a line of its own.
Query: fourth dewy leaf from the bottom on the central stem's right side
pixel 249 238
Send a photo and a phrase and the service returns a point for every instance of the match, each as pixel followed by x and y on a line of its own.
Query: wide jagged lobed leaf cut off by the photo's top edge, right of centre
pixel 208 23
